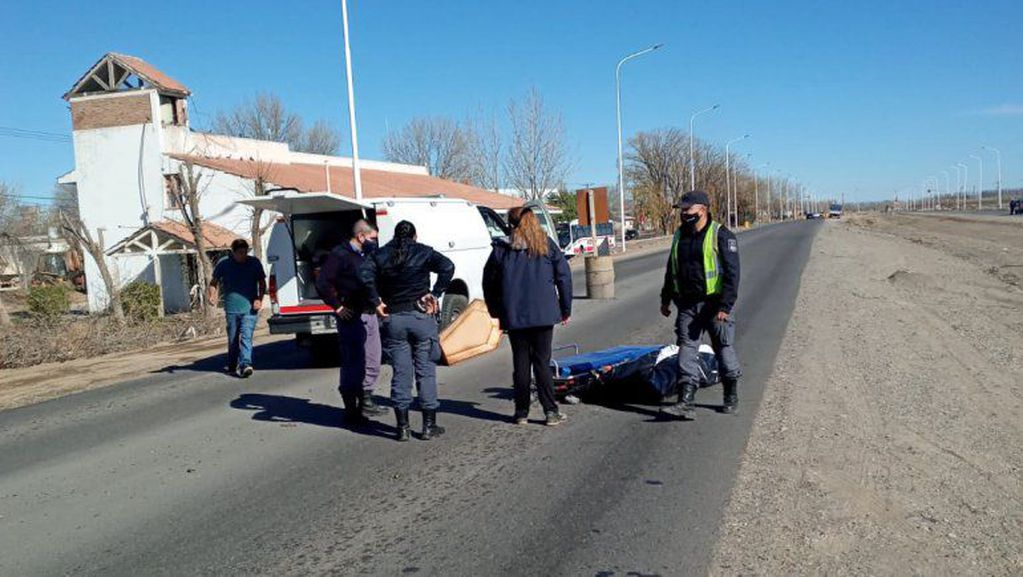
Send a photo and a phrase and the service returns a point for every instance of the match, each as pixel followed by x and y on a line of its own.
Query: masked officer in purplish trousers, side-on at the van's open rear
pixel 359 332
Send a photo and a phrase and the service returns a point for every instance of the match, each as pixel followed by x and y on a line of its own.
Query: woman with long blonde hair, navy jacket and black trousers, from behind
pixel 528 288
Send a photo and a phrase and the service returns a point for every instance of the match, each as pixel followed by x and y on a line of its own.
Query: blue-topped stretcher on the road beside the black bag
pixel 581 372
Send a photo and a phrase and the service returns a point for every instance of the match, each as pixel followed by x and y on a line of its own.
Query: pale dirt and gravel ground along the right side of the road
pixel 891 437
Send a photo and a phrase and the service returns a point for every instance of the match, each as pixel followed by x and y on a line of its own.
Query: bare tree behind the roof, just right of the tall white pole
pixel 441 145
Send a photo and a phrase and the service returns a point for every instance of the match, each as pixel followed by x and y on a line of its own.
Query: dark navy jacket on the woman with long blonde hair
pixel 524 292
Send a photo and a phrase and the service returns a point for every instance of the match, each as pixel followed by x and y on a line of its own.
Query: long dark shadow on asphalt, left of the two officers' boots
pixel 280 409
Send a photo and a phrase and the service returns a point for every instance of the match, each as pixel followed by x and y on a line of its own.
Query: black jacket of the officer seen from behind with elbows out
pixel 401 286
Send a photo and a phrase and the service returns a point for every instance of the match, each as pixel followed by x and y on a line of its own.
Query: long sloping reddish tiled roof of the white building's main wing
pixel 376 184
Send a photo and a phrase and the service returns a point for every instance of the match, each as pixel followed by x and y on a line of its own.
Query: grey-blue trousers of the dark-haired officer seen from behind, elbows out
pixel 411 340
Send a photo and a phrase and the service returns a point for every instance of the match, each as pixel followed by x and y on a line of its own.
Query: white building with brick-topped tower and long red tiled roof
pixel 131 136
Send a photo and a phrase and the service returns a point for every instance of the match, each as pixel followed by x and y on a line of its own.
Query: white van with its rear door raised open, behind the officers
pixel 312 225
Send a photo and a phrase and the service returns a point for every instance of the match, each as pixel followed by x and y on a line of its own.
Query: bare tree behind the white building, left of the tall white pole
pixel 265 118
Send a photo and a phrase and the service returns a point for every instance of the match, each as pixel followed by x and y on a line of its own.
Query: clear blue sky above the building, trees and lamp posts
pixel 861 99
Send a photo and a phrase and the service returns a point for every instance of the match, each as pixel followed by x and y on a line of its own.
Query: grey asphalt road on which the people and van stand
pixel 192 472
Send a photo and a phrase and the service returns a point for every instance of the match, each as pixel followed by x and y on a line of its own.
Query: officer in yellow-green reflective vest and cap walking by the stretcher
pixel 702 280
